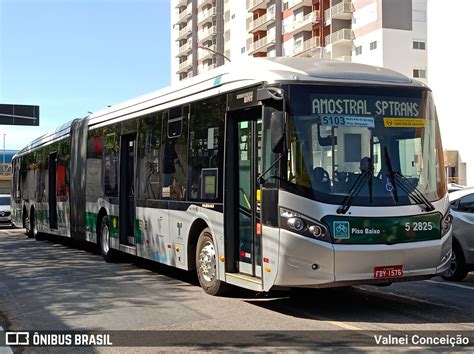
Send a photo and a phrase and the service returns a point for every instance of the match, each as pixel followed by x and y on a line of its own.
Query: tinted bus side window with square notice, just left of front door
pixel 206 149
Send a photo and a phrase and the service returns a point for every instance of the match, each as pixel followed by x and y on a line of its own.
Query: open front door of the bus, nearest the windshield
pixel 243 230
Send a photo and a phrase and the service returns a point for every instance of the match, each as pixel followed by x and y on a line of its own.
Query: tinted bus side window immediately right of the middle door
pixel 149 161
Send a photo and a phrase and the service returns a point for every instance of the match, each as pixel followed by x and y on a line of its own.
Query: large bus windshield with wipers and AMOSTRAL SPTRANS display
pixel 383 144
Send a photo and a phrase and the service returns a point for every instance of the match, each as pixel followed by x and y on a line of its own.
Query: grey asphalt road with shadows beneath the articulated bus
pixel 54 285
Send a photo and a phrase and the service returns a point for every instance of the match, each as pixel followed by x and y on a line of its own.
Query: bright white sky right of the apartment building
pixel 451 74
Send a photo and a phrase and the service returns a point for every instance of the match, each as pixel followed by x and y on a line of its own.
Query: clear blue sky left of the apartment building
pixel 74 56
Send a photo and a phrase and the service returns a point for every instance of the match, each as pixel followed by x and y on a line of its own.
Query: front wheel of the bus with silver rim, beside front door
pixel 206 265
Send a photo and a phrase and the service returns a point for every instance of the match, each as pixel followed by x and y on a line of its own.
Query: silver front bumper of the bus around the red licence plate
pixel 305 262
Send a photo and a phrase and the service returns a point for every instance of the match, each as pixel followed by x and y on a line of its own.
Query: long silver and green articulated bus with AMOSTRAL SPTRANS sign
pixel 264 174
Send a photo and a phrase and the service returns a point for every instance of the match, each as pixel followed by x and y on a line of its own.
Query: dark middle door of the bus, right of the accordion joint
pixel 127 189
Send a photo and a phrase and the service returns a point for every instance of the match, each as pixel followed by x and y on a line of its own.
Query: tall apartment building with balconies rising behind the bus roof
pixel 388 33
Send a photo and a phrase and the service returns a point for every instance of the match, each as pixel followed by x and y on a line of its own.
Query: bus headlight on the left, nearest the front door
pixel 303 225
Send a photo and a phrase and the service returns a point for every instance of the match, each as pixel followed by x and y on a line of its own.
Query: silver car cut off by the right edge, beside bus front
pixel 462 209
